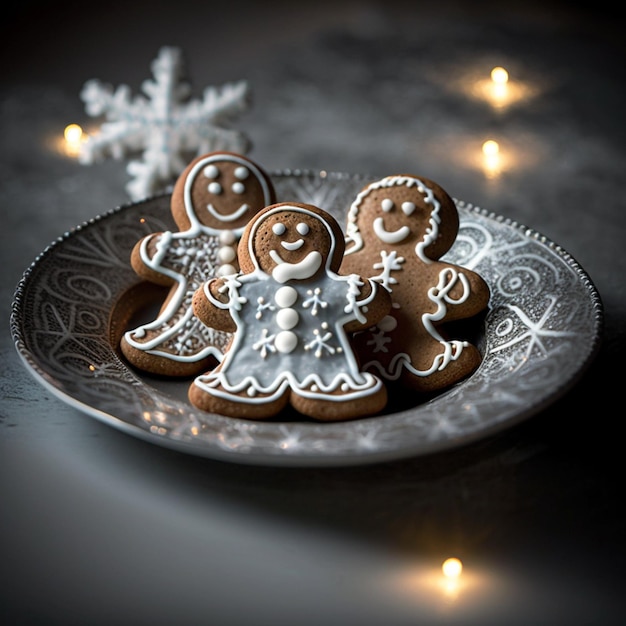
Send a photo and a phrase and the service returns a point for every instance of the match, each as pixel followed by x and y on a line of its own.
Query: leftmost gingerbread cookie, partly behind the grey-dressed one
pixel 212 201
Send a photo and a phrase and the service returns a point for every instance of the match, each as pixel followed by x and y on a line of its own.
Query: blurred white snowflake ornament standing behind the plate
pixel 167 127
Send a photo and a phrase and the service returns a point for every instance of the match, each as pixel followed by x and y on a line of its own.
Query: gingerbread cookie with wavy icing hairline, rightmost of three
pixel 397 230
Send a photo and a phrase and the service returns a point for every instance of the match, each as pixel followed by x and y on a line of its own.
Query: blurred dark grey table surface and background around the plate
pixel 98 527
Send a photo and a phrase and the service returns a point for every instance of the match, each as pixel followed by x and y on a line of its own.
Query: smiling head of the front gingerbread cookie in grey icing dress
pixel 290 241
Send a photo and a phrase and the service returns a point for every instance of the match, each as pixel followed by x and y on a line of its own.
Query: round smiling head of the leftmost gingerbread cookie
pixel 221 191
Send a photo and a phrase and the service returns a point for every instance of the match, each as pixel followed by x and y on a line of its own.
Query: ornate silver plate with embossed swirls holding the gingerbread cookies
pixel 541 331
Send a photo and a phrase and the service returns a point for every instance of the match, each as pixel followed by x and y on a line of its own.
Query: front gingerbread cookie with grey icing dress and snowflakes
pixel 291 313
